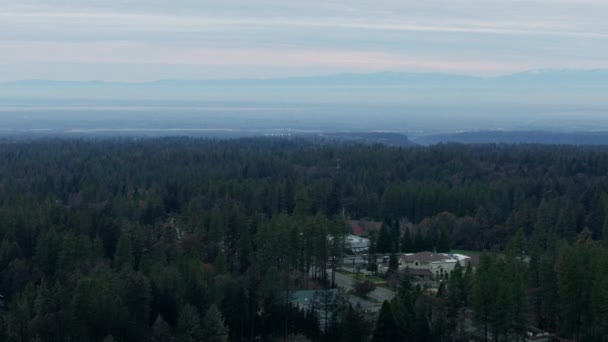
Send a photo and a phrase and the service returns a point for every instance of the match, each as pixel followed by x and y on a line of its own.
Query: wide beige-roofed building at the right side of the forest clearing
pixel 435 265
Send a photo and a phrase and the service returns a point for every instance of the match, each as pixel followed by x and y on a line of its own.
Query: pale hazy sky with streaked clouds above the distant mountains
pixel 136 40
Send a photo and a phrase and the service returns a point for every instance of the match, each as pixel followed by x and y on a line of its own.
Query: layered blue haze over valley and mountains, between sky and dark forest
pixel 417 105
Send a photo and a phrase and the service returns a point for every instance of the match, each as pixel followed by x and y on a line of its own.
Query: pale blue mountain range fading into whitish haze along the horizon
pixel 531 87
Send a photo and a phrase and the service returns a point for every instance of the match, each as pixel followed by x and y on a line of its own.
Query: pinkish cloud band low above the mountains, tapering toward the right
pixel 135 53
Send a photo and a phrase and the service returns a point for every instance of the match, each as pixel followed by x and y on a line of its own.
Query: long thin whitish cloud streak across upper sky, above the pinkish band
pixel 149 22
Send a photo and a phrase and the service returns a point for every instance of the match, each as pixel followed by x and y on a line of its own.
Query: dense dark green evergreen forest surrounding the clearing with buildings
pixel 183 239
